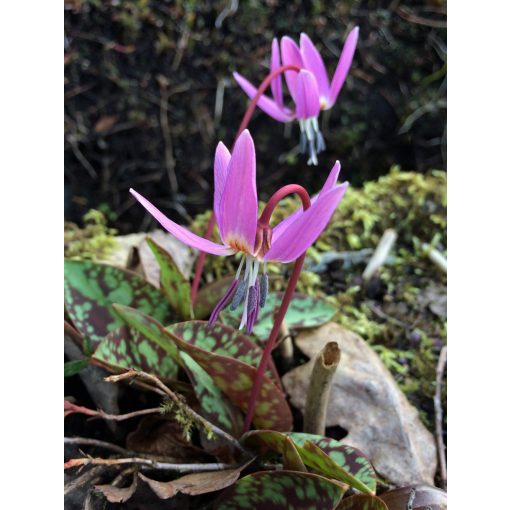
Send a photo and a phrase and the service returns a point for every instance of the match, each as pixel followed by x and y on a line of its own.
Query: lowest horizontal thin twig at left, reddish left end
pixel 153 464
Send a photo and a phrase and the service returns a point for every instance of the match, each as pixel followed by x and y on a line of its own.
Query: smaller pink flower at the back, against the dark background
pixel 310 88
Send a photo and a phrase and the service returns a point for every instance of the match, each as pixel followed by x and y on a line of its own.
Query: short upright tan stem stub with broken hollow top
pixel 317 397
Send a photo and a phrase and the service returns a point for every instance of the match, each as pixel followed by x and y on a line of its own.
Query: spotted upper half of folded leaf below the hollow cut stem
pixel 349 458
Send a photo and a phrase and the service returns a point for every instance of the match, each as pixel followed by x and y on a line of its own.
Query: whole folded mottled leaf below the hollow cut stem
pixel 341 462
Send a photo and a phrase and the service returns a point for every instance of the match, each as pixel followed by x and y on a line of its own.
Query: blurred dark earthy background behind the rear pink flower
pixel 149 93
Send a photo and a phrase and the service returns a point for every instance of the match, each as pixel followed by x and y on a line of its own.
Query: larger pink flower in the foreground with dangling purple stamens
pixel 236 211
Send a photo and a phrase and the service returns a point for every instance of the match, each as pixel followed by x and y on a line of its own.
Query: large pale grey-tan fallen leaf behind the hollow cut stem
pixel 367 402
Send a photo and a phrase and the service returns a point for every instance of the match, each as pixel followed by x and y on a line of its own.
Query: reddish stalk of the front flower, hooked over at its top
pixel 298 265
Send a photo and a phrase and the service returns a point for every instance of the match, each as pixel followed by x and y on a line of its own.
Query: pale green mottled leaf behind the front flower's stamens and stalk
pixel 304 312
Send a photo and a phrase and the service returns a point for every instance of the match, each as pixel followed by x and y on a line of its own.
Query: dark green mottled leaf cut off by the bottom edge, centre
pixel 281 490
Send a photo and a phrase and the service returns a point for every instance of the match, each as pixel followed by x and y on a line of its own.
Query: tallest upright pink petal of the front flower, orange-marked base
pixel 237 219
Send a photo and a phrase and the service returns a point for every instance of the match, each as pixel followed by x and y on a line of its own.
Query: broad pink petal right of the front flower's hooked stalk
pixel 306 229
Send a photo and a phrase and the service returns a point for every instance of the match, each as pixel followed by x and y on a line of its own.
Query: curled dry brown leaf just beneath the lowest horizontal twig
pixel 195 483
